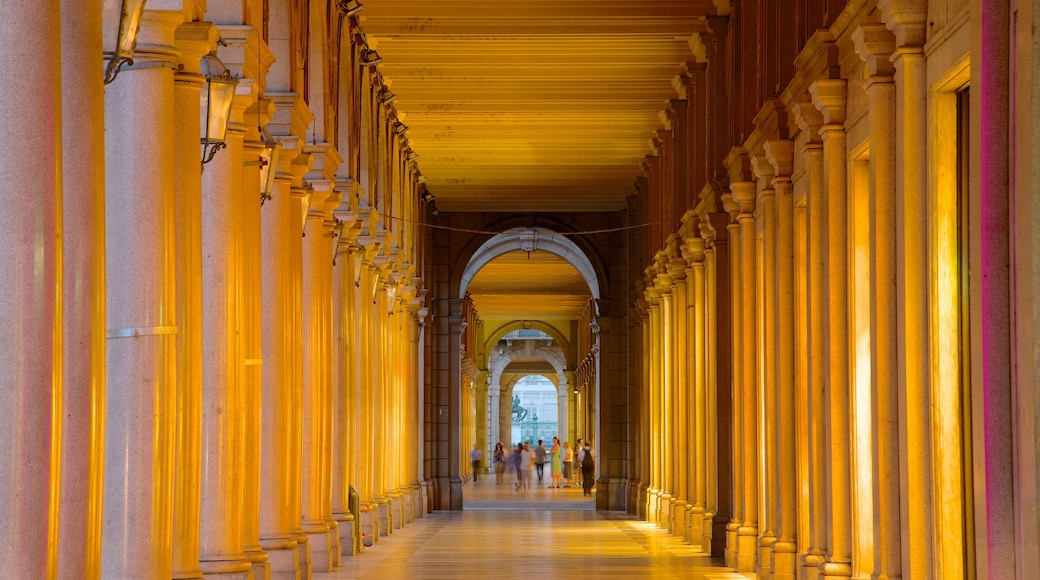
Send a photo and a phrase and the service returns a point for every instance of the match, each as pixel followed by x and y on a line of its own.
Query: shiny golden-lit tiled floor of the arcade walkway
pixel 548 535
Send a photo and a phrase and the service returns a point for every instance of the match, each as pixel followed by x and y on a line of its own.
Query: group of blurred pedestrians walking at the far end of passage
pixel 529 463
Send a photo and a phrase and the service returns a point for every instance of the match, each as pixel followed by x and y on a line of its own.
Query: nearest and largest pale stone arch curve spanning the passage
pixel 548 241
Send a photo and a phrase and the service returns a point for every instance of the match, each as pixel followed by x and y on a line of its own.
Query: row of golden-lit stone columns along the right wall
pixel 817 267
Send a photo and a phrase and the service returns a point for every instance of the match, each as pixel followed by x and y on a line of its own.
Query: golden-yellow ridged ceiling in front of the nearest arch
pixel 534 106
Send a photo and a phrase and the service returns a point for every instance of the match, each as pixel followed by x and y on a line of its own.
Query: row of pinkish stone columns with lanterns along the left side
pixel 200 371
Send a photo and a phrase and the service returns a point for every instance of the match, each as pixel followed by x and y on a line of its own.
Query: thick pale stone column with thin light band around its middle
pixel 141 155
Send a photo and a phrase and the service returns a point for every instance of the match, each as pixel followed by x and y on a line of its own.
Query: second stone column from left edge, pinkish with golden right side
pixel 83 268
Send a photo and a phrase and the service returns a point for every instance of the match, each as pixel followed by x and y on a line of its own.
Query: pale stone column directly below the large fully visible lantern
pixel 223 435
